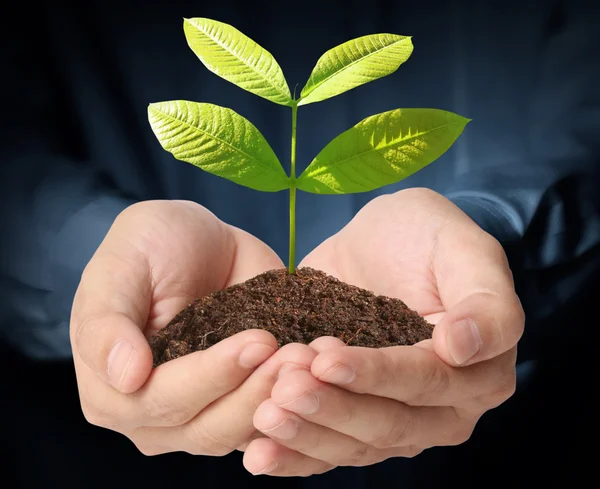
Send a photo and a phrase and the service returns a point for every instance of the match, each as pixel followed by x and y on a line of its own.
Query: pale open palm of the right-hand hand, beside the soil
pixel 390 248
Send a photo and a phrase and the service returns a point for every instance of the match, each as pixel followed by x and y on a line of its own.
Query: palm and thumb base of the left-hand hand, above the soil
pixel 190 254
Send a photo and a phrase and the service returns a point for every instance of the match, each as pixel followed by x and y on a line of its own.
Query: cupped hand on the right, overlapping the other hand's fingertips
pixel 359 406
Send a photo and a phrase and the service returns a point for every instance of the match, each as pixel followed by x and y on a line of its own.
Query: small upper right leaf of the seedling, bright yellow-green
pixel 355 63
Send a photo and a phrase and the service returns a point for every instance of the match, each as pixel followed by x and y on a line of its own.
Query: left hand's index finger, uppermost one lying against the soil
pixel 179 389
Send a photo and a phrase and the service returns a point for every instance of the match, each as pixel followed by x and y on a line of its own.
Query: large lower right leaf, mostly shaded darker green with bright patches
pixel 380 150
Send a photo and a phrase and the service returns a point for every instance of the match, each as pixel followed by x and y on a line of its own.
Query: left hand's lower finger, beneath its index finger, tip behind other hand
pixel 226 424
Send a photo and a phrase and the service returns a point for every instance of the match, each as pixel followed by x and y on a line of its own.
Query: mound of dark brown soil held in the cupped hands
pixel 295 308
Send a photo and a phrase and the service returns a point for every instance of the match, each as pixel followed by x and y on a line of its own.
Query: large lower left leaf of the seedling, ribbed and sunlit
pixel 218 140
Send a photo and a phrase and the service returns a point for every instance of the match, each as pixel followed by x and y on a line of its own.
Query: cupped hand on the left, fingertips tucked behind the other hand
pixel 157 258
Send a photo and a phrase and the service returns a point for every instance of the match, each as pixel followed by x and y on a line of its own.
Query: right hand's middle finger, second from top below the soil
pixel 376 421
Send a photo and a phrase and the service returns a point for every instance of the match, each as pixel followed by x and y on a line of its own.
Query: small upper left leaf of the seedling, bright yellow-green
pixel 234 56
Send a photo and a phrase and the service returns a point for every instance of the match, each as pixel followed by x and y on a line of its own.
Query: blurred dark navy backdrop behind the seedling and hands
pixel 77 149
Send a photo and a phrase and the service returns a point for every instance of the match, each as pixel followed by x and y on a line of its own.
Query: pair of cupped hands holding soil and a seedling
pixel 301 409
